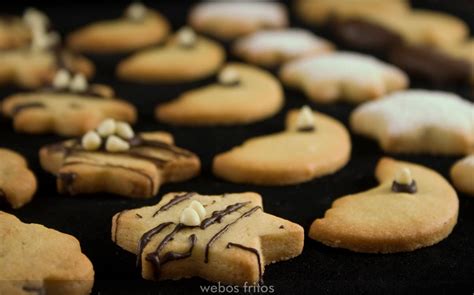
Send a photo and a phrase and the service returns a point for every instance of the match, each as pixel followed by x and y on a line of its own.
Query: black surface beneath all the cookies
pixel 444 267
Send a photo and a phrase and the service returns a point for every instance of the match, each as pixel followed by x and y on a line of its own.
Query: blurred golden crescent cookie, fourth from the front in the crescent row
pixel 184 57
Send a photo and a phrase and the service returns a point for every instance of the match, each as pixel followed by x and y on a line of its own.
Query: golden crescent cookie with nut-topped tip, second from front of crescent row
pixel 313 145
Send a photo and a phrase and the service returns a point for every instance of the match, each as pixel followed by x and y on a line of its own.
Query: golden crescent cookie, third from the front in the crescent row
pixel 242 94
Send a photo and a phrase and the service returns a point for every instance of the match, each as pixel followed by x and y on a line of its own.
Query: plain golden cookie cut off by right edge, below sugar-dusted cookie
pixel 462 174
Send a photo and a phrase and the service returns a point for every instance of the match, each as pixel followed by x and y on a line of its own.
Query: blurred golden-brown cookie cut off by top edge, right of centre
pixel 319 12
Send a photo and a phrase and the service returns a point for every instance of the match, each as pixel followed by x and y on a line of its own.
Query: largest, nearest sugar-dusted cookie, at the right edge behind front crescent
pixel 418 121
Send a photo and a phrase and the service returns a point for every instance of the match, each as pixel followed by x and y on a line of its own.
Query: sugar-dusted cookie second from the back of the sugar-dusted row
pixel 270 48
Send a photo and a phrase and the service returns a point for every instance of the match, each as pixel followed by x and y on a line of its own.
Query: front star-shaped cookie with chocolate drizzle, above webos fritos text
pixel 226 238
